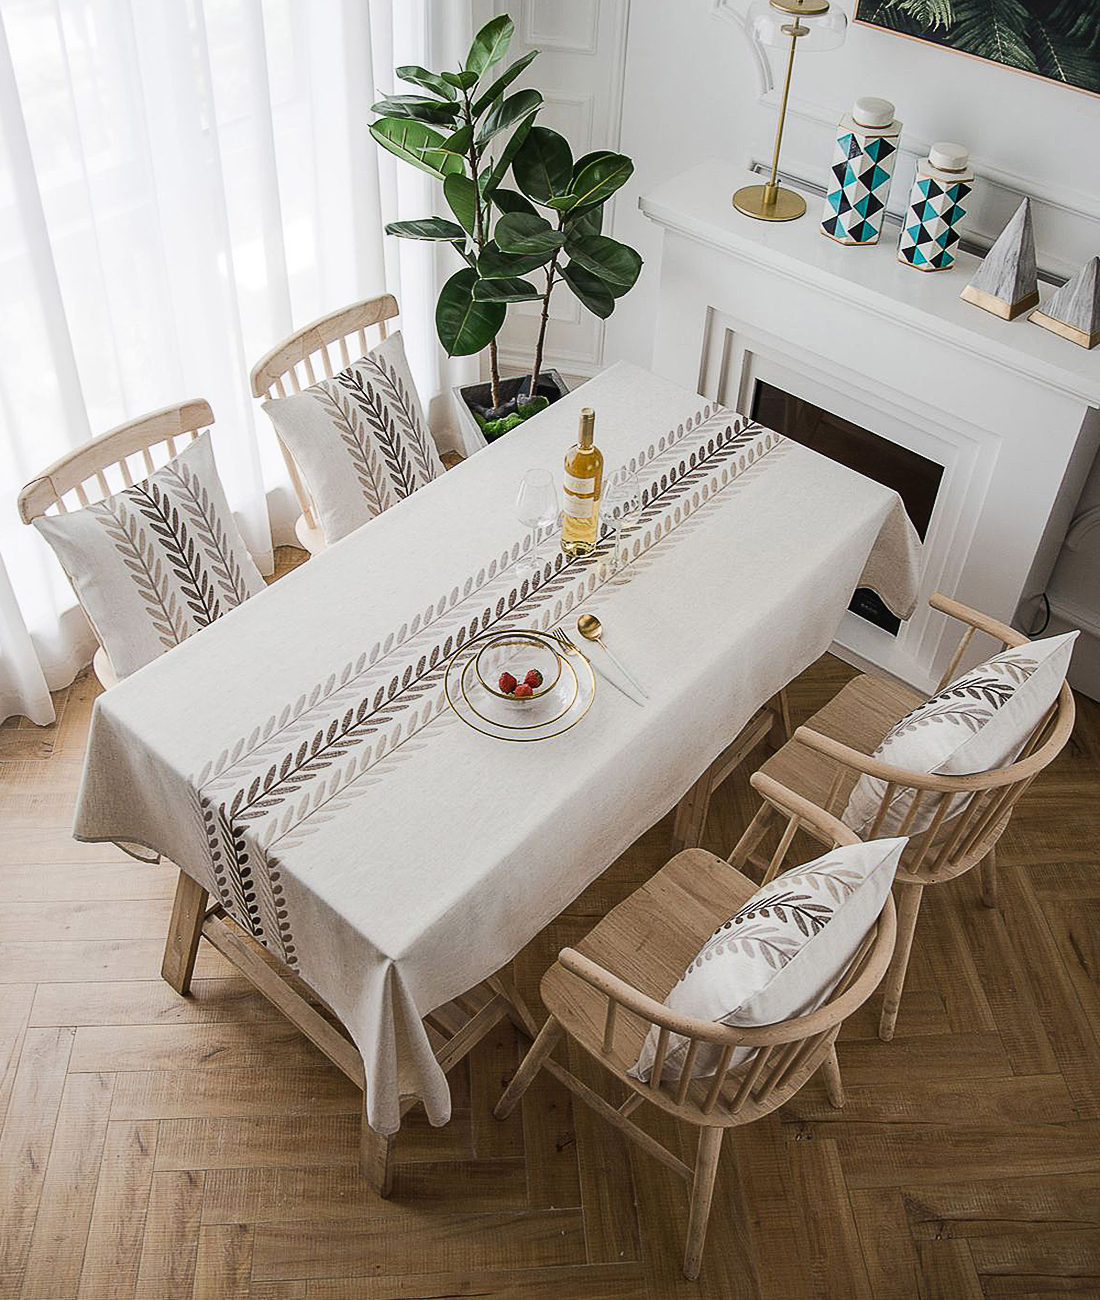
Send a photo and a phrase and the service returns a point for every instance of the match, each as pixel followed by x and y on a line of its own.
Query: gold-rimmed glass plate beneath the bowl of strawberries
pixel 518 721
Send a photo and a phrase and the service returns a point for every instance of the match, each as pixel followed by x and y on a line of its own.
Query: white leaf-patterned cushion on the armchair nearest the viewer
pixel 782 954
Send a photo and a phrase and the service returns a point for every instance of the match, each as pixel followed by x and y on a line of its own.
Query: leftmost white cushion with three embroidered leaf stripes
pixel 157 562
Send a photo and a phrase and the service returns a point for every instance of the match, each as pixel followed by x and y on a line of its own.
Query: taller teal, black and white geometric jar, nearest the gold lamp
pixel 867 150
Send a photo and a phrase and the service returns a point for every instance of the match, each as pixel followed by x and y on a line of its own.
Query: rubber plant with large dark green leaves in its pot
pixel 471 132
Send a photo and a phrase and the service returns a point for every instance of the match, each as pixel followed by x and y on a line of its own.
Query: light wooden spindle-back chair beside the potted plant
pixel 276 375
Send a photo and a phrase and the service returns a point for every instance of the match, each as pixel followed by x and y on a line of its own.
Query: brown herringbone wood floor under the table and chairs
pixel 159 1147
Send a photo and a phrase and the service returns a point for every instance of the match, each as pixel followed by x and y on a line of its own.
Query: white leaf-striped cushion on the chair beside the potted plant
pixel 360 439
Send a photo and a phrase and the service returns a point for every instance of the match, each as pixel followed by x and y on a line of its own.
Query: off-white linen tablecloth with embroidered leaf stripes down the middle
pixel 300 760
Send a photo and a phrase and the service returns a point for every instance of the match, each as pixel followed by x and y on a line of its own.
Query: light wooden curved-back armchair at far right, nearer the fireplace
pixel 828 756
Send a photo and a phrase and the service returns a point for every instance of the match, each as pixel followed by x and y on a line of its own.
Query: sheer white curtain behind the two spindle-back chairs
pixel 183 183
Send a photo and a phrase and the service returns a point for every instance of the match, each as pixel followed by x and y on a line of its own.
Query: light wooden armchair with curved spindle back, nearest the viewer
pixel 609 991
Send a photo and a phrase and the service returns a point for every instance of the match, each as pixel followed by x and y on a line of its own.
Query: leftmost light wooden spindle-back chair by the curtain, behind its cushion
pixel 106 466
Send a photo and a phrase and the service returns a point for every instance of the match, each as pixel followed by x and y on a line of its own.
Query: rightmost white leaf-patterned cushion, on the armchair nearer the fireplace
pixel 978 722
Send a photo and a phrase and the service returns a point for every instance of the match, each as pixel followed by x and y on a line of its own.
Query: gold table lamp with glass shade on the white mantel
pixel 785 24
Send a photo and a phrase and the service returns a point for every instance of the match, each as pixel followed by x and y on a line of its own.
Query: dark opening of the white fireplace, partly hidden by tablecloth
pixel 913 478
